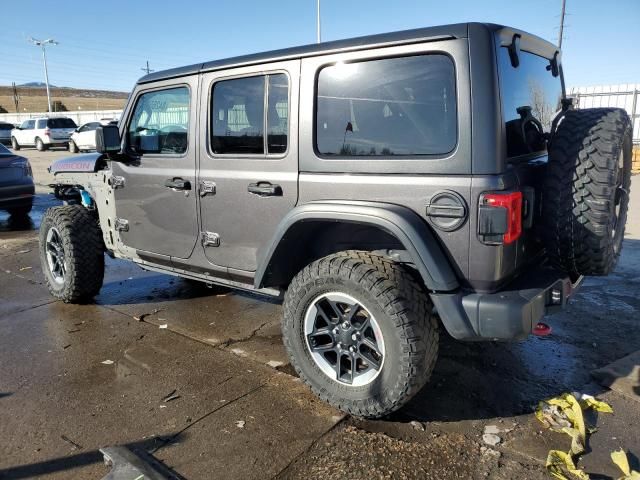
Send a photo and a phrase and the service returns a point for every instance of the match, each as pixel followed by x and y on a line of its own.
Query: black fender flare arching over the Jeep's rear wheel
pixel 404 224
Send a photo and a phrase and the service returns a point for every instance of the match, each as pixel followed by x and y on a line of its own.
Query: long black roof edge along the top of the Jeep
pixel 458 30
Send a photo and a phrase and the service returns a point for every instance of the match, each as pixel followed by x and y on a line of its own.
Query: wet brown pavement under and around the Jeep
pixel 75 378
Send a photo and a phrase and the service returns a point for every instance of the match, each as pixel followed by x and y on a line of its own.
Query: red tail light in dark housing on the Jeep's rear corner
pixel 500 218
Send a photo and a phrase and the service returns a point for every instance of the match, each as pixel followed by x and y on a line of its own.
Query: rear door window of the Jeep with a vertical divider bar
pixel 239 120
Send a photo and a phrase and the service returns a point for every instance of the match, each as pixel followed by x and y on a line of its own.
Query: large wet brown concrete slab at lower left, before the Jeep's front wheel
pixel 60 401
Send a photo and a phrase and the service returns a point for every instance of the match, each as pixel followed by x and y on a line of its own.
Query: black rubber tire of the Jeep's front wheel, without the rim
pixel 83 247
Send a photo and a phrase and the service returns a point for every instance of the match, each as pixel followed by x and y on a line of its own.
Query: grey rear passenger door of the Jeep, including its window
pixel 248 160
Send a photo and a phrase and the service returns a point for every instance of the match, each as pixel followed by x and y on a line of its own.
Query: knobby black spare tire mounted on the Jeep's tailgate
pixel 586 190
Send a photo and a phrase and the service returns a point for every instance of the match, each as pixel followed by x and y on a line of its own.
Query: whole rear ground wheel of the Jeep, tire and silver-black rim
pixel 360 331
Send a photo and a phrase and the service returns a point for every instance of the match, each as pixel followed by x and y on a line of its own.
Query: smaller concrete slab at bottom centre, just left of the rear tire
pixel 255 437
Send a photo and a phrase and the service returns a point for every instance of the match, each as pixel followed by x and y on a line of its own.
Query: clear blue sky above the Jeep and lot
pixel 104 44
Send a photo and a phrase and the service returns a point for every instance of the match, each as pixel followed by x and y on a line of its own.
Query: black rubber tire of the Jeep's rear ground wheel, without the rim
pixel 403 311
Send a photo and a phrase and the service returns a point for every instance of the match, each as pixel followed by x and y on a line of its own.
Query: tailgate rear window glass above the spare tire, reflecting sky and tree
pixel 528 88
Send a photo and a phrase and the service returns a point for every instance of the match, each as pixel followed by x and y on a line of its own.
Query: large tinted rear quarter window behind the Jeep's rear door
pixel 386 107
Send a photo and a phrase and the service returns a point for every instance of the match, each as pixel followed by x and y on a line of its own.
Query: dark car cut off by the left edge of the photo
pixel 16 183
